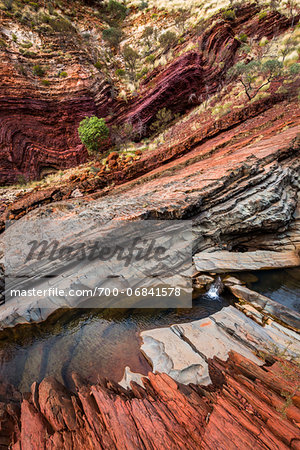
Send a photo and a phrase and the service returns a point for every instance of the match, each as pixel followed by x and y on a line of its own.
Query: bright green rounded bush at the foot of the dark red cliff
pixel 92 131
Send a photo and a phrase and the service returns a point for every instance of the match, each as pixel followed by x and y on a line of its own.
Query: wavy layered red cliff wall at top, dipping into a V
pixel 49 87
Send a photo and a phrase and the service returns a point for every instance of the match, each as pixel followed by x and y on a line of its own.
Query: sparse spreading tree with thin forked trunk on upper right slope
pixel 247 74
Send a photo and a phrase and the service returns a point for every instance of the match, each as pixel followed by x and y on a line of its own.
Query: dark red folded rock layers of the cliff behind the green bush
pixel 39 124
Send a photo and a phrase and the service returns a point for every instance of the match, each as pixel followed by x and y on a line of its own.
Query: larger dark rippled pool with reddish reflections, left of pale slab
pixel 90 342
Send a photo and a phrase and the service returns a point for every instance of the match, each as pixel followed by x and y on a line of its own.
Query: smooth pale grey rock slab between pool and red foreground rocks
pixel 182 351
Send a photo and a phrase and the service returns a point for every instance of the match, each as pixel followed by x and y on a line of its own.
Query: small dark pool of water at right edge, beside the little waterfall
pixel 282 285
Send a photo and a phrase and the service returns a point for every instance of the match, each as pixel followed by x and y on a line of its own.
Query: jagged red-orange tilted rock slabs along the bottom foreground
pixel 257 407
